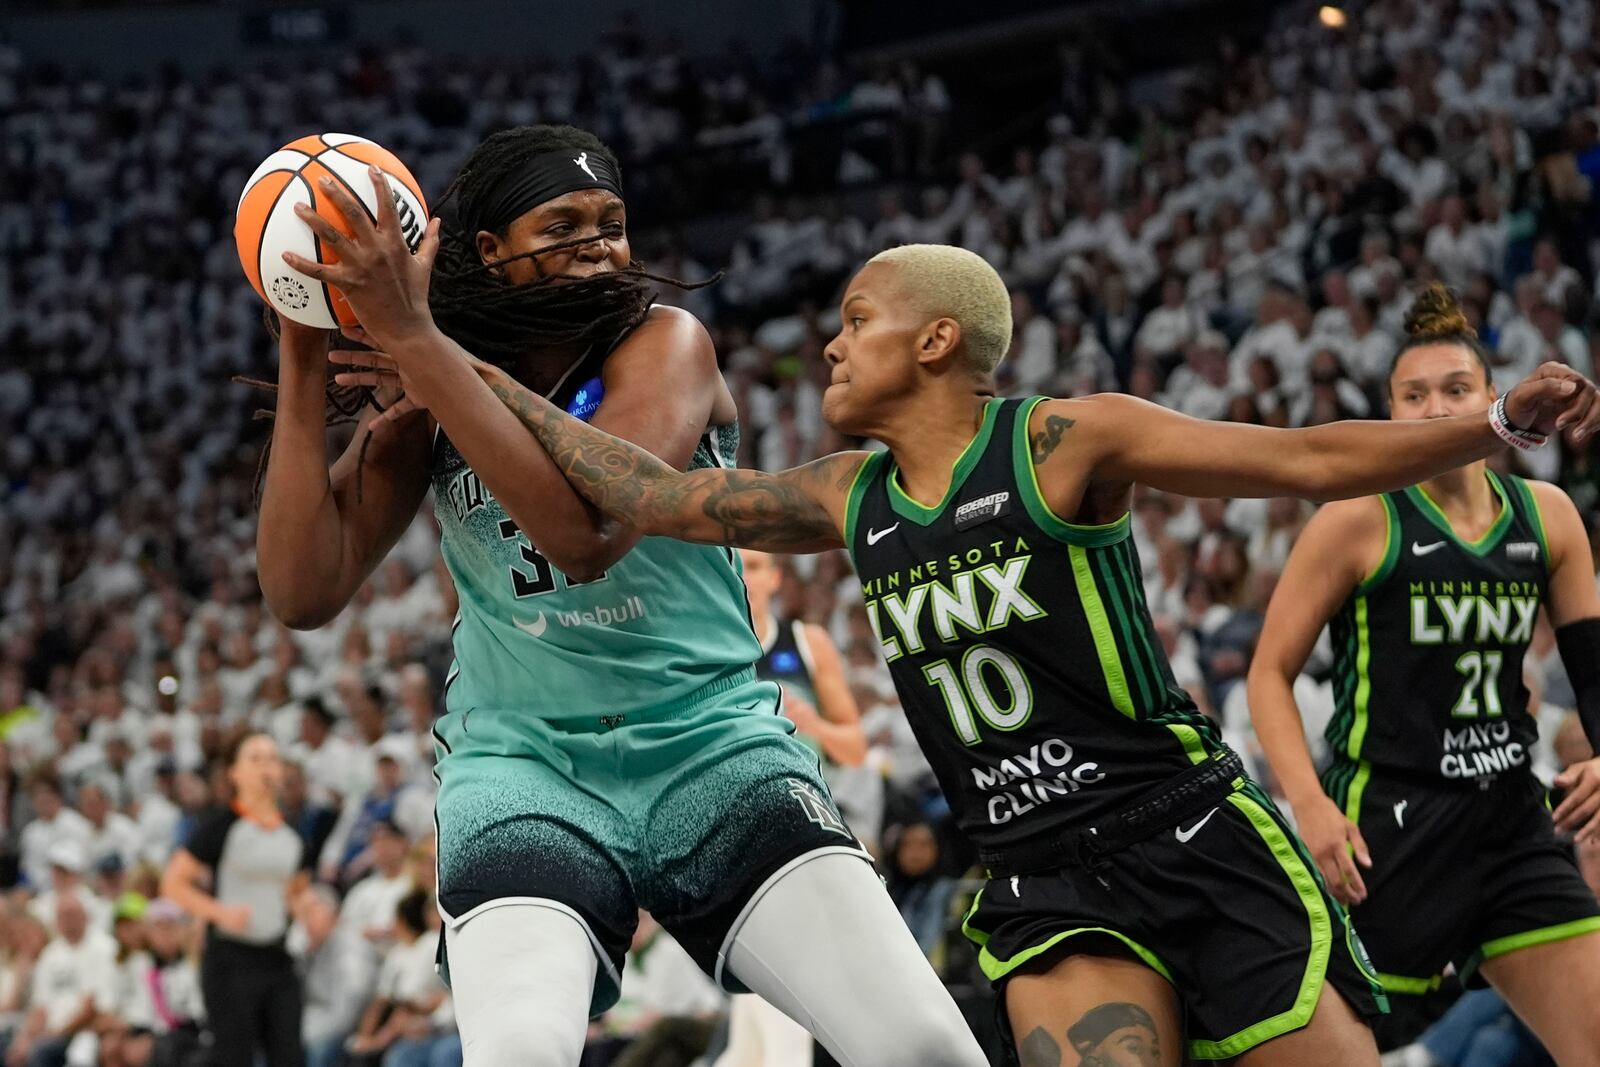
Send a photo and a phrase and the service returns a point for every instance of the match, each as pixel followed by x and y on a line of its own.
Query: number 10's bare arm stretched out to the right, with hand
pixel 1129 441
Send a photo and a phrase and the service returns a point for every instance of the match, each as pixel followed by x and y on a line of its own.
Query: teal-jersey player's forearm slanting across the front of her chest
pixel 521 474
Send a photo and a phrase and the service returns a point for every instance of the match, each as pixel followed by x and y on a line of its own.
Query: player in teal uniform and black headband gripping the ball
pixel 607 745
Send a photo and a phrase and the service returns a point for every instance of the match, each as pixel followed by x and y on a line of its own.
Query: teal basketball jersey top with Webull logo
pixel 665 621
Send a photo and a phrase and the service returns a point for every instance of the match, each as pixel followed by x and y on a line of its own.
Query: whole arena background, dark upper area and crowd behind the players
pixel 1220 207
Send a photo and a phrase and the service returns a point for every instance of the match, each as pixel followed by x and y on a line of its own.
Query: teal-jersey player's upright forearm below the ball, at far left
pixel 300 535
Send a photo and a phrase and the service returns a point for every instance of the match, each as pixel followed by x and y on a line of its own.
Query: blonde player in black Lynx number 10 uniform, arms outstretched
pixel 1217 919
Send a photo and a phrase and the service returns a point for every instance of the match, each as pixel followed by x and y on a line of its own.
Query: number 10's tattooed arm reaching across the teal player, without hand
pixel 738 508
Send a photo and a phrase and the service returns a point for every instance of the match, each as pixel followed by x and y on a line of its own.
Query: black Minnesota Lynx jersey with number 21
pixel 1428 650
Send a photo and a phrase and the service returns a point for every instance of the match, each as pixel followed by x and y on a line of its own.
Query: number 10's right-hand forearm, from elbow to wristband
pixel 1361 458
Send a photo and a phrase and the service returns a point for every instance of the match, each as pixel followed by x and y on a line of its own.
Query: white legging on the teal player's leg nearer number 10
pixel 826 946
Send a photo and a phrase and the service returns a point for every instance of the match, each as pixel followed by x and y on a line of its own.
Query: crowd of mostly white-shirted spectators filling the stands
pixel 1236 241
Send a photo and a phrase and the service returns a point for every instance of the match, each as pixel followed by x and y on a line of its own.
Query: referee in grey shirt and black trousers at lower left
pixel 257 863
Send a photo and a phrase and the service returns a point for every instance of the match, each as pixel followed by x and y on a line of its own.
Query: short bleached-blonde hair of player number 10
pixel 945 281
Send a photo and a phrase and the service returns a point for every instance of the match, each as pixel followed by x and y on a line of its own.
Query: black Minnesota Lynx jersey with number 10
pixel 1022 645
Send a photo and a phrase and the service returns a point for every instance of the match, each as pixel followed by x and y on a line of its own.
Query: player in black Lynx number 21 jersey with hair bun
pixel 1433 596
